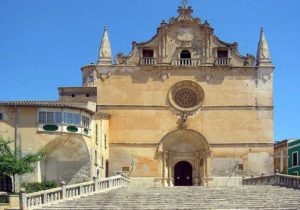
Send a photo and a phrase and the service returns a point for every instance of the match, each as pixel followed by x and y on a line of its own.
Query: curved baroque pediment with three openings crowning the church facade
pixel 184 41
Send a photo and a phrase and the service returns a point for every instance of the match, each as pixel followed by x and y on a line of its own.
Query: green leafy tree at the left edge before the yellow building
pixel 12 163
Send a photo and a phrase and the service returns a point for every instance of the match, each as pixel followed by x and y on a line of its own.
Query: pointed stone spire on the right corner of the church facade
pixel 263 55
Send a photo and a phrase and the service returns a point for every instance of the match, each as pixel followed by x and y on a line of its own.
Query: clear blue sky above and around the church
pixel 44 43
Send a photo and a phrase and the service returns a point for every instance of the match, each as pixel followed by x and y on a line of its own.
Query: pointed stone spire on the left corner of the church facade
pixel 105 50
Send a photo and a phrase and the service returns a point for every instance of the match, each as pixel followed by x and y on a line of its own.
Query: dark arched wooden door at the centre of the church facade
pixel 183 174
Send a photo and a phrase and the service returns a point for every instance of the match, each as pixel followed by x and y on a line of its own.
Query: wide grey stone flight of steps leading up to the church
pixel 241 197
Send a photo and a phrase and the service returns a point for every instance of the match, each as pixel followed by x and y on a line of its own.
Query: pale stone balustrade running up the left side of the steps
pixel 65 192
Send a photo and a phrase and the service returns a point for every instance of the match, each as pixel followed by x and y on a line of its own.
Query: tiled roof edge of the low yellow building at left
pixel 86 106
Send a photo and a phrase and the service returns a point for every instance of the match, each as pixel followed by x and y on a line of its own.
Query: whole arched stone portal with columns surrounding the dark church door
pixel 184 154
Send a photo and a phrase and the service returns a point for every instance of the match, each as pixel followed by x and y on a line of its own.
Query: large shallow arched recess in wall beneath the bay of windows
pixel 68 159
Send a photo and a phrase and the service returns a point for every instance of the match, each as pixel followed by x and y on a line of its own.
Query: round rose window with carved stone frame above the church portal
pixel 186 96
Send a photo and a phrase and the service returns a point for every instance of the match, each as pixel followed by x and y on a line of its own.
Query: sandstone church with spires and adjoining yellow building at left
pixel 184 108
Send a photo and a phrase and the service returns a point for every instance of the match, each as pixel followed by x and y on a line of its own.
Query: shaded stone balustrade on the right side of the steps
pixel 276 179
